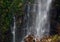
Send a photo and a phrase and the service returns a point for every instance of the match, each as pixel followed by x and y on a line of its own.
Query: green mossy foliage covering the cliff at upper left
pixel 8 8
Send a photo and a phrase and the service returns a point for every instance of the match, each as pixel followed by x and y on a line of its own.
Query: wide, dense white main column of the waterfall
pixel 42 18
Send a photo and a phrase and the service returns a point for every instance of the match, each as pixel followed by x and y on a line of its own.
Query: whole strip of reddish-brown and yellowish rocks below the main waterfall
pixel 31 38
